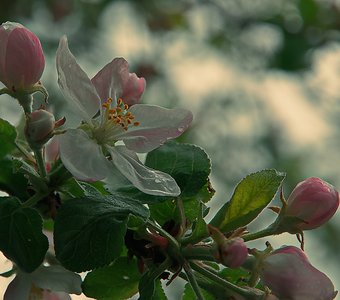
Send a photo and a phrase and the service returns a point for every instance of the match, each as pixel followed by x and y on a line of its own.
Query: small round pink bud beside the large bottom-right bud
pixel 233 253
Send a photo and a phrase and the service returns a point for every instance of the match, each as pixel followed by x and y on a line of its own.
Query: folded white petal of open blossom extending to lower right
pixel 147 180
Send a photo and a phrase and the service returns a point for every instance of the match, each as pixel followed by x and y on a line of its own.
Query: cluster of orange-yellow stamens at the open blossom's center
pixel 118 115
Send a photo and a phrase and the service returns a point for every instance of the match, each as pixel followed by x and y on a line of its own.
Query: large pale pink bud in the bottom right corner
pixel 289 274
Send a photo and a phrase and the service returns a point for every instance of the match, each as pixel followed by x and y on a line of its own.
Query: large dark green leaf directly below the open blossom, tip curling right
pixel 93 229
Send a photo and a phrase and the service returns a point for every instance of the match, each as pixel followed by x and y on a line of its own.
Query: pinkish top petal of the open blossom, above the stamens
pixel 111 78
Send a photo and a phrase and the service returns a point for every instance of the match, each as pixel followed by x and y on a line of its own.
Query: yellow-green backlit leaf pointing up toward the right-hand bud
pixel 250 197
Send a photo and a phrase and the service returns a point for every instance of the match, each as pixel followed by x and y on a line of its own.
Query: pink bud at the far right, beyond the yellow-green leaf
pixel 314 202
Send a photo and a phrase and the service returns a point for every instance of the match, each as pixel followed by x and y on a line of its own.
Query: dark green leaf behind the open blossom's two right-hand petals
pixel 188 164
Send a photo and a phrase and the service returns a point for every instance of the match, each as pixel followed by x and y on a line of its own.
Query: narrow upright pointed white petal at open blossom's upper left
pixel 75 84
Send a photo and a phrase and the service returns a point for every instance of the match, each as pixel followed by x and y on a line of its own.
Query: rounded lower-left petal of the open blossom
pixel 82 156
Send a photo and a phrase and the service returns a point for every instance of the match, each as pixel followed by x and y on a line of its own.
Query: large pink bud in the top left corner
pixel 22 59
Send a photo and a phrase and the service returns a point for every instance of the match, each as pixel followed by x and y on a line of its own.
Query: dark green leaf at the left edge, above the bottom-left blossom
pixel 21 237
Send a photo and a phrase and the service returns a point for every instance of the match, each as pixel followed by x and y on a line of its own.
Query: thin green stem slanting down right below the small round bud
pixel 248 294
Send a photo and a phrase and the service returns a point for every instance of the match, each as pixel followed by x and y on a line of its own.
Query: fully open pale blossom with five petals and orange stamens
pixel 115 126
